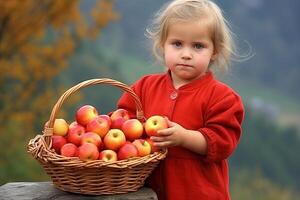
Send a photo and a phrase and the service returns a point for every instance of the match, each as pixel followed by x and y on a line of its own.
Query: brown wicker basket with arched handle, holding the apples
pixel 92 177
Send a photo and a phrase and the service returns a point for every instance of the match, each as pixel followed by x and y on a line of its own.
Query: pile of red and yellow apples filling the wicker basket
pixel 105 137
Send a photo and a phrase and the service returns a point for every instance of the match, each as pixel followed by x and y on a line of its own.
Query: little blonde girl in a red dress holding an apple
pixel 204 115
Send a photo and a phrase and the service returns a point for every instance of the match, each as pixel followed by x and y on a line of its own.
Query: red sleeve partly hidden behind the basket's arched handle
pixel 126 101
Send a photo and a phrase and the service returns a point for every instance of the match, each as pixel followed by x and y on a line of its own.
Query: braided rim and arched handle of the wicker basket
pixel 40 146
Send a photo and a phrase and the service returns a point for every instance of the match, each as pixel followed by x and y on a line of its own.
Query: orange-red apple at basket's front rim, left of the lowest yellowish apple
pixel 88 151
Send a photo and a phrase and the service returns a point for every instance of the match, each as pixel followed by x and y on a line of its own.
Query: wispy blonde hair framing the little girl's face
pixel 187 10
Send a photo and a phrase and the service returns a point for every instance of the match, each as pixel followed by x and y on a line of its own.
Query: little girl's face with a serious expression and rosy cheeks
pixel 188 50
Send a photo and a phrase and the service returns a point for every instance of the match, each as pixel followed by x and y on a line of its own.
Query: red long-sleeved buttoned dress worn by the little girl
pixel 206 105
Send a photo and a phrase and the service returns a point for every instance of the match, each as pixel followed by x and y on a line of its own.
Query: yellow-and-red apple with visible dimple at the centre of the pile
pixel 114 139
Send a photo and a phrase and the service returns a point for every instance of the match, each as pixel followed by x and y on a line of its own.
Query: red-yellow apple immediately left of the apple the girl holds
pixel 133 129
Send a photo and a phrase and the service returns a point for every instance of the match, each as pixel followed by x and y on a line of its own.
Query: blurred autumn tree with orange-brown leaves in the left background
pixel 36 40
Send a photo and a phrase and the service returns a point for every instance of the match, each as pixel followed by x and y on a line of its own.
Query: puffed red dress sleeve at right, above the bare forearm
pixel 222 127
